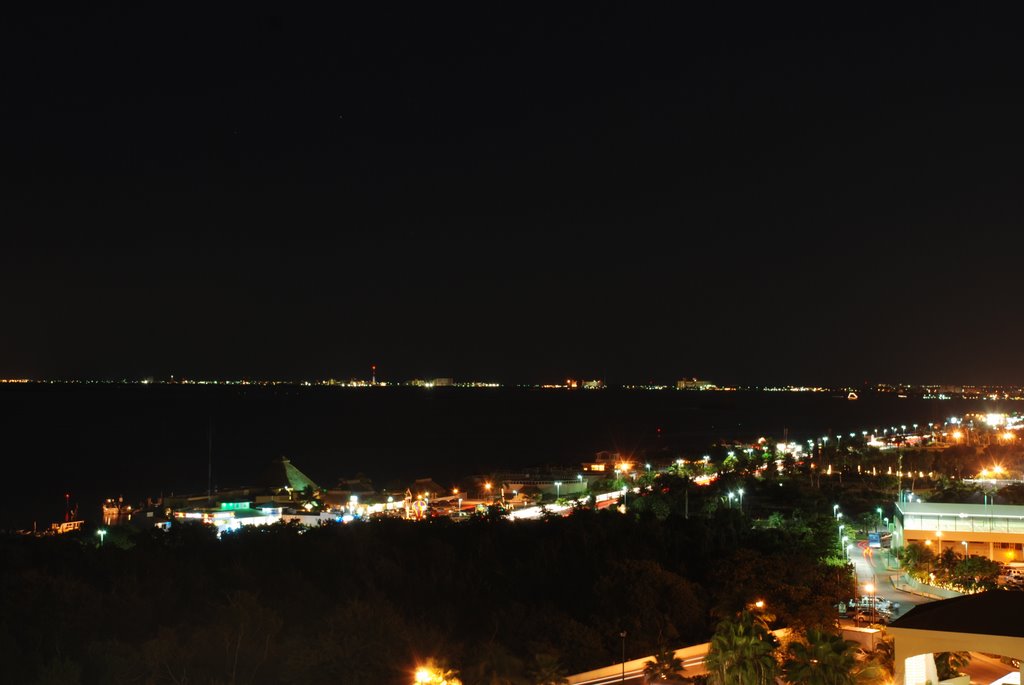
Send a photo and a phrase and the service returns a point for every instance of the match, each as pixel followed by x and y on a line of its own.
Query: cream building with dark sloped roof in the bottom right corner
pixel 989 623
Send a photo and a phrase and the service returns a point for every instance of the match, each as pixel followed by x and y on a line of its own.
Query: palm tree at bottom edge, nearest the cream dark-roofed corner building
pixel 829 660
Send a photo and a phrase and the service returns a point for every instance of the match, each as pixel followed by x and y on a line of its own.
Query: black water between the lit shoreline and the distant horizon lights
pixel 98 442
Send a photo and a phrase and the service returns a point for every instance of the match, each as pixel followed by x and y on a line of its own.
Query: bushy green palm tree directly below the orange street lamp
pixel 742 653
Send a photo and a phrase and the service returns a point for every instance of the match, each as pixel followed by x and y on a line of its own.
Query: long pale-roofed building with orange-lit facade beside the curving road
pixel 996 532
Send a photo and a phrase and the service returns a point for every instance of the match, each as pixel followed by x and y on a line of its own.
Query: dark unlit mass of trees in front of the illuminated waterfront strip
pixel 368 603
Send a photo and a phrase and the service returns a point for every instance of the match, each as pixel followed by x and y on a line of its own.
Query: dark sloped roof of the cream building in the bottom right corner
pixel 996 613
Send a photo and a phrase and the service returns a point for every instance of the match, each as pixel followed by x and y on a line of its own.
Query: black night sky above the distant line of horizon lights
pixel 504 193
